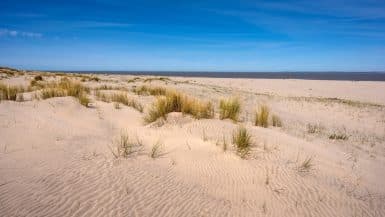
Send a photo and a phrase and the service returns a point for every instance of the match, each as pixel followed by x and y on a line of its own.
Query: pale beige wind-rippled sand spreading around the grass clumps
pixel 55 157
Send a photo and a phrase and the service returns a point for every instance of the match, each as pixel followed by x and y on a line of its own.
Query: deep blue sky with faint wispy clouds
pixel 199 35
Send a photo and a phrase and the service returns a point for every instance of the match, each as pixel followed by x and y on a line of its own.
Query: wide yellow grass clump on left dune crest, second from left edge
pixel 66 87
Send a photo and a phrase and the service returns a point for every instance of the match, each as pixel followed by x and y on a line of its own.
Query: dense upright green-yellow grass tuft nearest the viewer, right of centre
pixel 242 141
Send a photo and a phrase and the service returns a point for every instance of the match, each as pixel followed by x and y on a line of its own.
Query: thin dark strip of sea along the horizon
pixel 347 76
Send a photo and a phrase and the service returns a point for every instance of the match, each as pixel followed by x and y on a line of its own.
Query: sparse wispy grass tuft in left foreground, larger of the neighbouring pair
pixel 124 146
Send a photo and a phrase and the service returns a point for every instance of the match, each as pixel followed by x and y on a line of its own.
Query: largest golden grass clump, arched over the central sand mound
pixel 175 101
